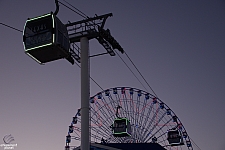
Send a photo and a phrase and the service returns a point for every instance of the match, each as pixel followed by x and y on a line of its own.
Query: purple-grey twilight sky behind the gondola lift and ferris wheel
pixel 177 45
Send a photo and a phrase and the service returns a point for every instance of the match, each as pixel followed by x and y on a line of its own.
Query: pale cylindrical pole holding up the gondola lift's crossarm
pixel 85 93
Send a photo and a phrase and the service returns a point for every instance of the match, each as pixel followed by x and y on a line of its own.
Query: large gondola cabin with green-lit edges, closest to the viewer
pixel 46 39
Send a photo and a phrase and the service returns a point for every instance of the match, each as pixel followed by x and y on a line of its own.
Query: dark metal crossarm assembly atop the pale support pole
pixel 91 28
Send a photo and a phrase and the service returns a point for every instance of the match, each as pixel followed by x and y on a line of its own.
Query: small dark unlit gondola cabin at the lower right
pixel 175 138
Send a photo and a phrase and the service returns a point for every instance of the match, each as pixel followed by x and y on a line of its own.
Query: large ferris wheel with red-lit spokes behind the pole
pixel 130 115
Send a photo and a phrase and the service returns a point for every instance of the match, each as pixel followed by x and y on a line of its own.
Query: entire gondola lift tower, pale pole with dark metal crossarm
pixel 83 31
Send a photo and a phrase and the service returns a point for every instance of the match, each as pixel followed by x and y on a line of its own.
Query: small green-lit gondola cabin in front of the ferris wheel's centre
pixel 121 127
